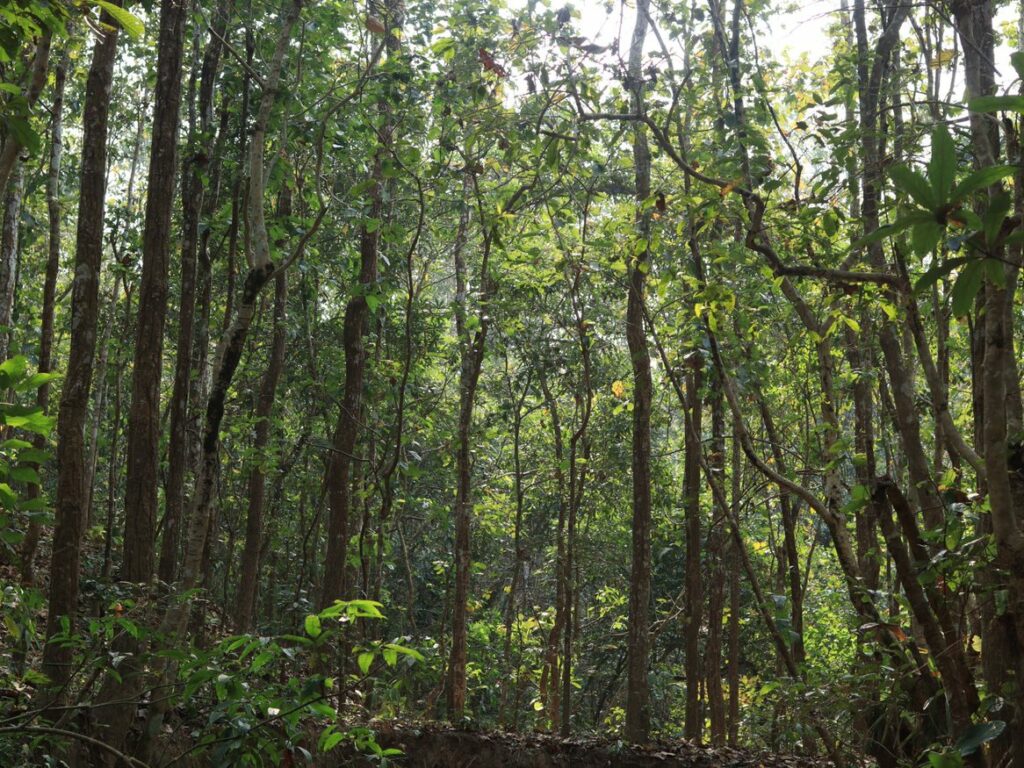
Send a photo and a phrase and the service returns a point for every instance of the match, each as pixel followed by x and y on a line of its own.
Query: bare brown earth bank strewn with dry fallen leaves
pixel 438 746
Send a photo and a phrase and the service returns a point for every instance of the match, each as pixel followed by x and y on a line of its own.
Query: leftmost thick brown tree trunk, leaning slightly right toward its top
pixel 71 491
